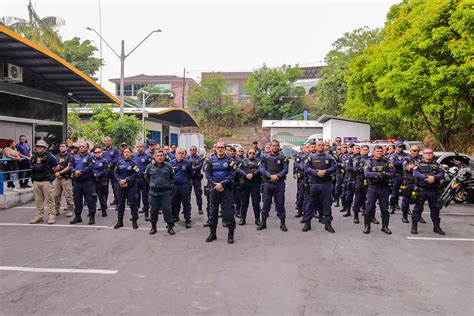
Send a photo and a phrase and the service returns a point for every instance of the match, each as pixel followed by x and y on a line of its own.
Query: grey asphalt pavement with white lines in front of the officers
pixel 67 269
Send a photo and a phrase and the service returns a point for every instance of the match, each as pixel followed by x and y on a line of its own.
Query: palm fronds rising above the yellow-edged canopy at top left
pixel 42 31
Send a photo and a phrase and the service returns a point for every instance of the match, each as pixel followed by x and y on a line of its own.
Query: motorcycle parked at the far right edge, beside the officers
pixel 460 185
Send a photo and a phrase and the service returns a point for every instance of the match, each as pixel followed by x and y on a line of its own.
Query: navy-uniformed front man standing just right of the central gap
pixel 319 167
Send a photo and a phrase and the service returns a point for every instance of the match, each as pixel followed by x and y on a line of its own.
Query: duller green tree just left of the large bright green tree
pixel 331 90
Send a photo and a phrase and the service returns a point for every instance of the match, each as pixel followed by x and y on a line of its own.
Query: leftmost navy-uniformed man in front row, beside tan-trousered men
pixel 83 183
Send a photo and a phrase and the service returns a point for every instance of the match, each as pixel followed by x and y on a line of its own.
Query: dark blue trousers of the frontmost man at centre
pixel 223 199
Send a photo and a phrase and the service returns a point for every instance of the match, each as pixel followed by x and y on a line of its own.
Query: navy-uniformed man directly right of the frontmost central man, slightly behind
pixel 250 183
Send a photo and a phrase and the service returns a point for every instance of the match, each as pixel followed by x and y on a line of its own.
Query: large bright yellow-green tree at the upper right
pixel 421 71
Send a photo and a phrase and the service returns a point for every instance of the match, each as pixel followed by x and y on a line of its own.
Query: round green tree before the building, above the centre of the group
pixel 272 91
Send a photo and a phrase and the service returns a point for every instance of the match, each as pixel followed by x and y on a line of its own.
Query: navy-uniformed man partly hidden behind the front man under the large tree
pixel 360 181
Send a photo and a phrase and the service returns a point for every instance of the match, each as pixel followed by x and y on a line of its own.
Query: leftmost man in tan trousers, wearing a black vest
pixel 43 167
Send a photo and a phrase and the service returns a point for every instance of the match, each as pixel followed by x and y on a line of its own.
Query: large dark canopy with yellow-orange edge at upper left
pixel 45 70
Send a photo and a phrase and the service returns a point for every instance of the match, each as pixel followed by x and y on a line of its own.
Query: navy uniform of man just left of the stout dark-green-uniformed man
pixel 127 170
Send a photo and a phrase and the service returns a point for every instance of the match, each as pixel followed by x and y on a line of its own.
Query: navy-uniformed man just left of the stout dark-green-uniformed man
pixel 126 172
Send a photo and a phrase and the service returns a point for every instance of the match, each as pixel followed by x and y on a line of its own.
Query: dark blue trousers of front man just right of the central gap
pixel 320 199
